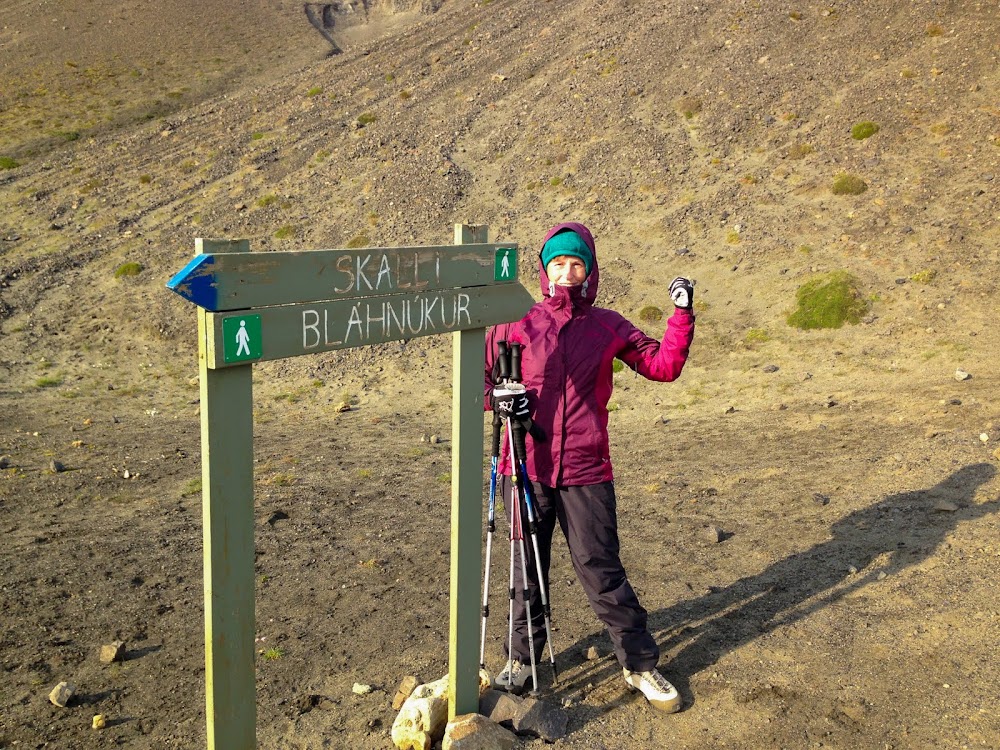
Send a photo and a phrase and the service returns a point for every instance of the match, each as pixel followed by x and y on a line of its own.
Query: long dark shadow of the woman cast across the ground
pixel 889 536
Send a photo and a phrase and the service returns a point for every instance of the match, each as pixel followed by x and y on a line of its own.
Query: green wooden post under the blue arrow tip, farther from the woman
pixel 227 518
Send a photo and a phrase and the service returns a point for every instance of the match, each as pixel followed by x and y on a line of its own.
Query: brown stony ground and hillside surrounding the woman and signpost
pixel 810 515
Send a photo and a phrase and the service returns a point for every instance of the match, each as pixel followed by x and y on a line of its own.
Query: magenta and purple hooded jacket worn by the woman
pixel 569 347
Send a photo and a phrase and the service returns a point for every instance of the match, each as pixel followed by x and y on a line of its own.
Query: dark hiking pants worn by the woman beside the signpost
pixel 589 521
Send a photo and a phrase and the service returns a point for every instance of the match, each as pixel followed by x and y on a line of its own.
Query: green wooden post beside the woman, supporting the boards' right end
pixel 466 507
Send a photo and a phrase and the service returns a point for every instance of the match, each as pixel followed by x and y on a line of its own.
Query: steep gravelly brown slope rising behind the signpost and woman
pixel 698 139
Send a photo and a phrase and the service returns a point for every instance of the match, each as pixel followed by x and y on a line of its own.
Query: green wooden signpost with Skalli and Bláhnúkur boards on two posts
pixel 266 306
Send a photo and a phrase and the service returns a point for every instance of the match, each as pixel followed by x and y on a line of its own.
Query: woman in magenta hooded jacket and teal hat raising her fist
pixel 569 346
